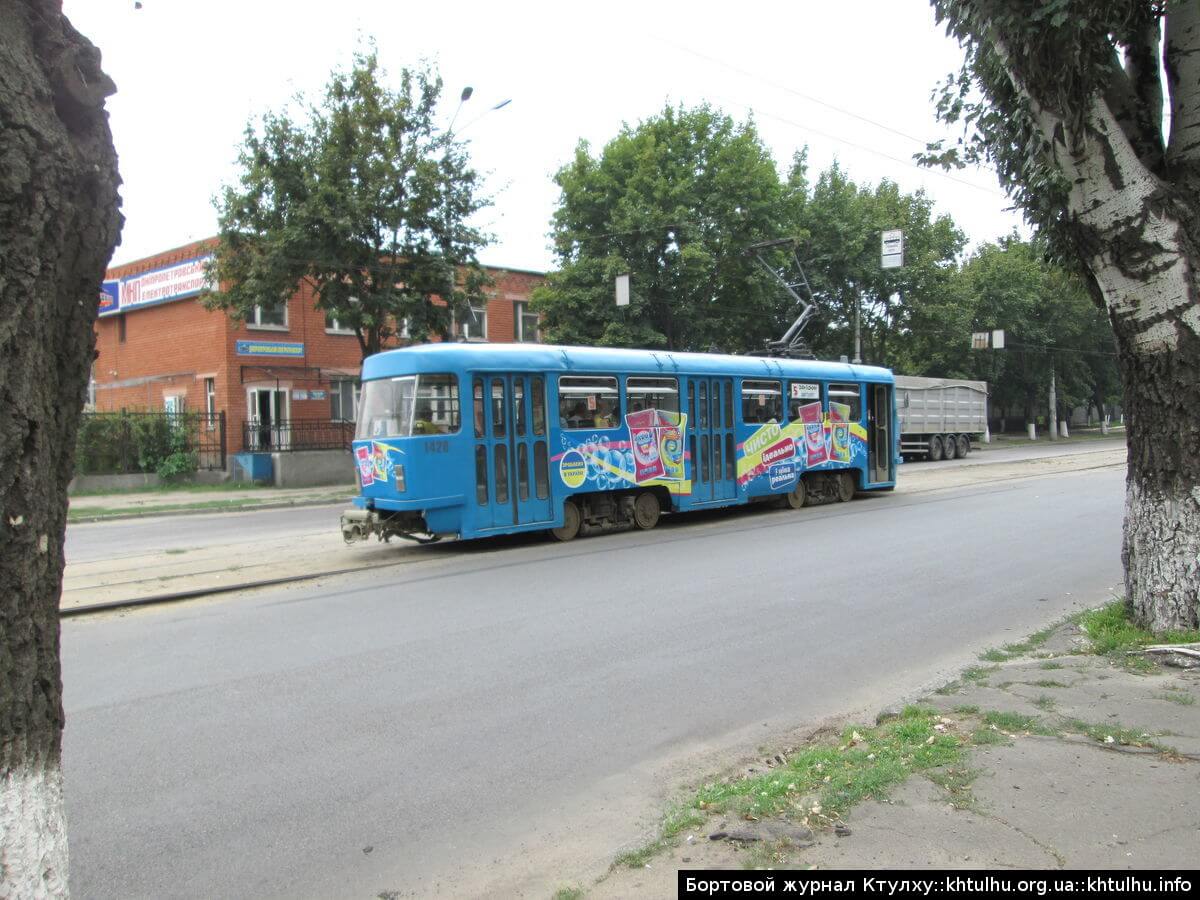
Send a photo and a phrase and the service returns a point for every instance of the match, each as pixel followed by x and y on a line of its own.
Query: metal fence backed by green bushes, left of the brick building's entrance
pixel 151 442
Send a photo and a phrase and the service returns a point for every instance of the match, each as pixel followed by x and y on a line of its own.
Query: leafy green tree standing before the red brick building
pixel 365 200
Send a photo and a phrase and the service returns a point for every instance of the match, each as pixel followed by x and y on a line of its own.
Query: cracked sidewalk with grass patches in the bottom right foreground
pixel 1053 757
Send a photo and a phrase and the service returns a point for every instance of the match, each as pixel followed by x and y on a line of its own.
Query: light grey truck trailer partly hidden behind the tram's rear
pixel 940 417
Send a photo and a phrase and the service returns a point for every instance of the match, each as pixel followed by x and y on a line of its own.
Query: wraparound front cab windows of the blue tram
pixel 410 405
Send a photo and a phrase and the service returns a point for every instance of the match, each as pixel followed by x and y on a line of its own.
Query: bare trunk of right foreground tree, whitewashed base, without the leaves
pixel 1142 242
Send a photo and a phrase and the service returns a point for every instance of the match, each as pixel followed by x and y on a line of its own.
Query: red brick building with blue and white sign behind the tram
pixel 160 350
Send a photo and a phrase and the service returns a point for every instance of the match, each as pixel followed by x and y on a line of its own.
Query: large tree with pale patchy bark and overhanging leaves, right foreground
pixel 1065 99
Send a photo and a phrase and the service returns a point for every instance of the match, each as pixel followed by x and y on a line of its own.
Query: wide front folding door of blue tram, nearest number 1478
pixel 512 451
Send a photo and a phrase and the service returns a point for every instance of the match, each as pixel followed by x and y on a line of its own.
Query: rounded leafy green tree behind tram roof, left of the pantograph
pixel 673 202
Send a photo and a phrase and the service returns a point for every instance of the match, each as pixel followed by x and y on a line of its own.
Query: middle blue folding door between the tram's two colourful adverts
pixel 711 440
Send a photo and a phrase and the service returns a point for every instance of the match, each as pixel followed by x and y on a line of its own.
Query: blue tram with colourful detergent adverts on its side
pixel 483 440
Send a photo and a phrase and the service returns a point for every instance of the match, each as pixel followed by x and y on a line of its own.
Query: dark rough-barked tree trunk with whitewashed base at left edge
pixel 59 224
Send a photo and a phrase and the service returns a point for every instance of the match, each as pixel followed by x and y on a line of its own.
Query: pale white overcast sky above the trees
pixel 850 80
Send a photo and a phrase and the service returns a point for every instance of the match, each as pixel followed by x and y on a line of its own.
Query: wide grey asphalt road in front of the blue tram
pixel 411 730
